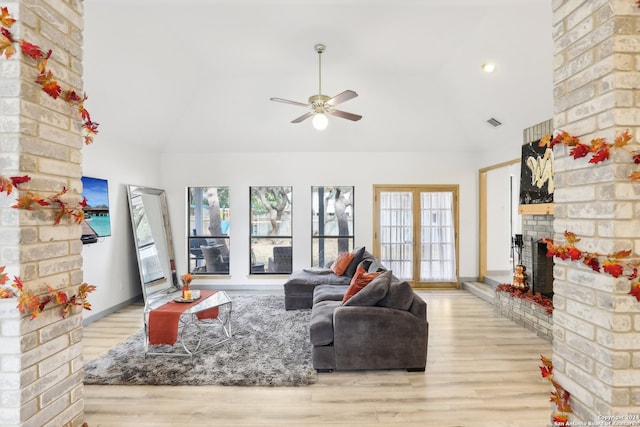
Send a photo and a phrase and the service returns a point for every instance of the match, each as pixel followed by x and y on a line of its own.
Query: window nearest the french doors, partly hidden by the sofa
pixel 332 219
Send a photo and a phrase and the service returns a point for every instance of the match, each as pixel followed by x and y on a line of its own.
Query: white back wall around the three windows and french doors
pixel 239 171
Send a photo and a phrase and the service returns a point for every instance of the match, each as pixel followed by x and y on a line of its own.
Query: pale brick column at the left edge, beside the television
pixel 40 359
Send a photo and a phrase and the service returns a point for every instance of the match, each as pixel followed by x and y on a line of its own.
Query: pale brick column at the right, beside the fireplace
pixel 596 323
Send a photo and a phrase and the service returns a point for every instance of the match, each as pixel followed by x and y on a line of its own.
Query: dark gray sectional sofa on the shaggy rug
pixel 383 326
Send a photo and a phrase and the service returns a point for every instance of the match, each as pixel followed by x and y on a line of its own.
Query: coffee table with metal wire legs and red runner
pixel 191 327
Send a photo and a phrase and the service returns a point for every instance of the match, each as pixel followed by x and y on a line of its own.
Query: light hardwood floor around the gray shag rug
pixel 482 371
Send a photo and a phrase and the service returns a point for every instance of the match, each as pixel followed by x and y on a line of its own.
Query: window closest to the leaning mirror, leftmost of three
pixel 208 222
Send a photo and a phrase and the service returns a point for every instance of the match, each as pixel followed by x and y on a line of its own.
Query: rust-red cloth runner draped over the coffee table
pixel 163 321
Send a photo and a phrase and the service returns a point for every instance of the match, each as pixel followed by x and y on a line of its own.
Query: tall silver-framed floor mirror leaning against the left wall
pixel 153 241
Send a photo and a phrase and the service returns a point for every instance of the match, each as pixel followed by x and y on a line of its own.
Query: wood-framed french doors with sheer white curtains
pixel 416 233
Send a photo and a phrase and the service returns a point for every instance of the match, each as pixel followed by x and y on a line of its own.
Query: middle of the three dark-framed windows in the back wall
pixel 271 239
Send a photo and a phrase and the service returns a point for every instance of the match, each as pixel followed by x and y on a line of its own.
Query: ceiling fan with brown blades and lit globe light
pixel 320 104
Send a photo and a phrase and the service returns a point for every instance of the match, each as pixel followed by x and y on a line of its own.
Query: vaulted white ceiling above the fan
pixel 196 76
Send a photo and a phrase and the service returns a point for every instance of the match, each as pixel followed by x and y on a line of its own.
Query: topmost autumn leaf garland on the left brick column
pixel 45 78
